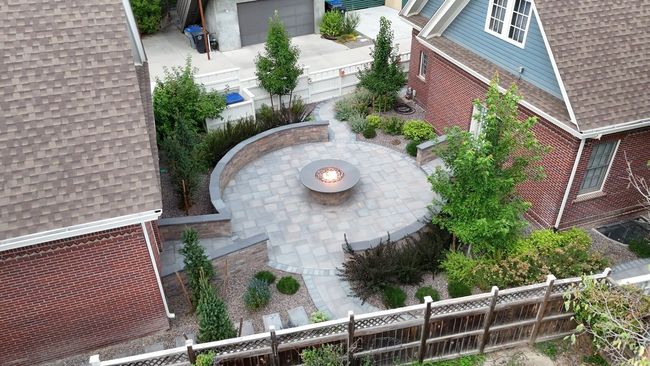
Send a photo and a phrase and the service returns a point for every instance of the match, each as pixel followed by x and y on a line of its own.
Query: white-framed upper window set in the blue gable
pixel 509 19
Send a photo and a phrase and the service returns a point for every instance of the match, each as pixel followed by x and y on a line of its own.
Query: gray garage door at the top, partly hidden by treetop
pixel 297 16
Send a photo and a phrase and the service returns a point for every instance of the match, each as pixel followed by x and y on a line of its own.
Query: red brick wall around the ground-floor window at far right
pixel 616 198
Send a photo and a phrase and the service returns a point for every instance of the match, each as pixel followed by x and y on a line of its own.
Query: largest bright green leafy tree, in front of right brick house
pixel 478 199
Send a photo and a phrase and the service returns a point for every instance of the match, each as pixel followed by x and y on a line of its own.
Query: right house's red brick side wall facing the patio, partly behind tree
pixel 448 96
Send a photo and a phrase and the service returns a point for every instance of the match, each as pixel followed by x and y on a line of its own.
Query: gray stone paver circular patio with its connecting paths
pixel 305 237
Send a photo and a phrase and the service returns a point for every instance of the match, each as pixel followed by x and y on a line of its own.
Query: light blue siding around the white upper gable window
pixel 468 30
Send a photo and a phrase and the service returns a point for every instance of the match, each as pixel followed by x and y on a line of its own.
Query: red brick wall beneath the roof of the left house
pixel 64 297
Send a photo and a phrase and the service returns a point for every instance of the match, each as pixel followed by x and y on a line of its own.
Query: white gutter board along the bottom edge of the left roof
pixel 77 230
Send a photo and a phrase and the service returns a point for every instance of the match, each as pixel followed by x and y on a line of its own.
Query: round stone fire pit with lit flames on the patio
pixel 330 181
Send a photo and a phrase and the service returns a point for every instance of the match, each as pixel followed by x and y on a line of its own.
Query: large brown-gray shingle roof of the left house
pixel 73 142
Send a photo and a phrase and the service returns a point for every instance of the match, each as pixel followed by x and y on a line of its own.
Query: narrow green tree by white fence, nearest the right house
pixel 385 77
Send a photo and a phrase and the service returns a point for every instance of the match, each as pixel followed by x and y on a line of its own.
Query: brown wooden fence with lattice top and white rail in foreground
pixel 430 331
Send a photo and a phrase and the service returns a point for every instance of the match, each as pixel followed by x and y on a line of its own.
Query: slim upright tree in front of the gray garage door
pixel 277 69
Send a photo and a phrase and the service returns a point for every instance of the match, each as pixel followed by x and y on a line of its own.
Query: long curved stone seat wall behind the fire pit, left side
pixel 256 146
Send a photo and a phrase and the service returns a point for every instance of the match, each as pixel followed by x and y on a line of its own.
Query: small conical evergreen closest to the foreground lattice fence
pixel 214 322
